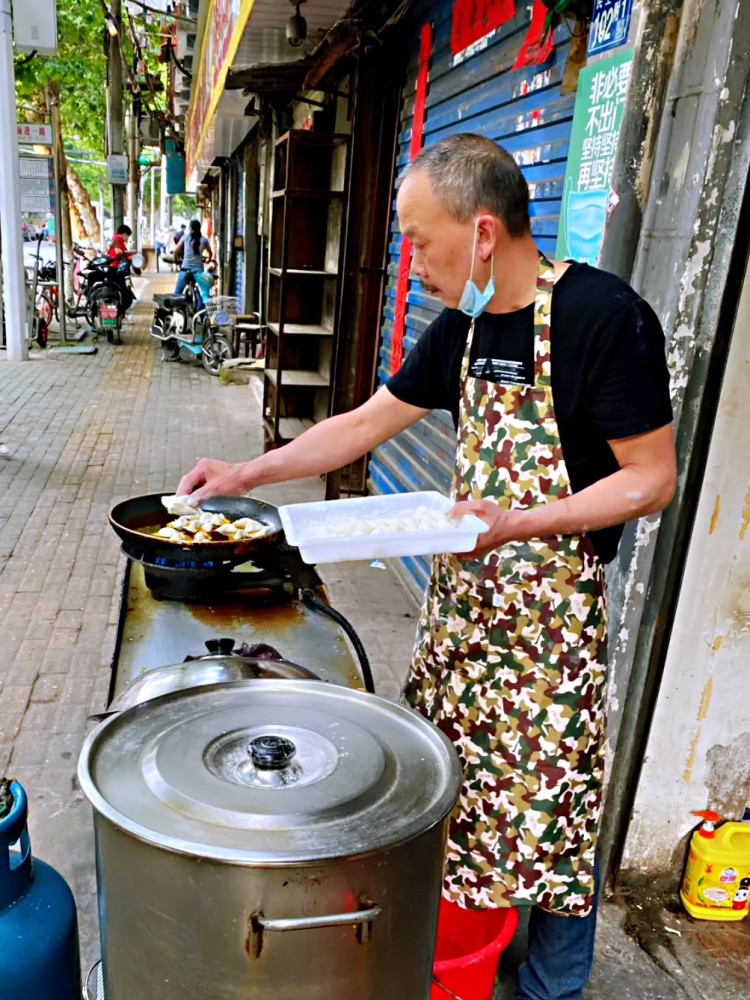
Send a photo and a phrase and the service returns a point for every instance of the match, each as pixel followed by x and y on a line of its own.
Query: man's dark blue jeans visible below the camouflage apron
pixel 560 954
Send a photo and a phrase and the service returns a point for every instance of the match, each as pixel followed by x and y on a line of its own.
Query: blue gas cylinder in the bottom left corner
pixel 38 926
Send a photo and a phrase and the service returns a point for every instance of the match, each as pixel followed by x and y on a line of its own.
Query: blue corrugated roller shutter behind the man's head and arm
pixel 525 112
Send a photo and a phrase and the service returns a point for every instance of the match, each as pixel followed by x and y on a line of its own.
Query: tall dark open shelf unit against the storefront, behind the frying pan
pixel 305 255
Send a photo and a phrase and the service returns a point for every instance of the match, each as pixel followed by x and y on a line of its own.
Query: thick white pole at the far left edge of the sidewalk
pixel 10 199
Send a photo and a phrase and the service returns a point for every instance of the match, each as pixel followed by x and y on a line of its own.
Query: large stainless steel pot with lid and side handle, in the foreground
pixel 269 840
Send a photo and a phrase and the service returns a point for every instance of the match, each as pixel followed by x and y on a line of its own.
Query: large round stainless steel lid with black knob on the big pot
pixel 270 772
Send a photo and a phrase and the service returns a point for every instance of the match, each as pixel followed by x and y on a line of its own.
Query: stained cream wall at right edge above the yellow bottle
pixel 698 752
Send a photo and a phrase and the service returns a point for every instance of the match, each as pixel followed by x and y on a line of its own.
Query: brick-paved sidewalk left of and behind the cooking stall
pixel 84 432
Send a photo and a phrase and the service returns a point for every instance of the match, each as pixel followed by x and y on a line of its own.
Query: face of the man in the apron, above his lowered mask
pixel 441 245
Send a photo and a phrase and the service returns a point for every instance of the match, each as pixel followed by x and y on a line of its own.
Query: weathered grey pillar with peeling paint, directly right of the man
pixel 697 160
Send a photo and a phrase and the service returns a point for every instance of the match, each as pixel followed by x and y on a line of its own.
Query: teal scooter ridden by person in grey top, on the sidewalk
pixel 189 325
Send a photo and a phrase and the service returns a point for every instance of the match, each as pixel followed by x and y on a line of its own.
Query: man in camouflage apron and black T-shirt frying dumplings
pixel 556 378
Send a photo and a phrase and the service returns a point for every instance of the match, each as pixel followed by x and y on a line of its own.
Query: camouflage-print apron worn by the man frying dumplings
pixel 510 660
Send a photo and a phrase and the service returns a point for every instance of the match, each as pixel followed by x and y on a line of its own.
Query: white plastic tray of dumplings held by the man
pixel 311 527
